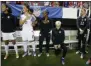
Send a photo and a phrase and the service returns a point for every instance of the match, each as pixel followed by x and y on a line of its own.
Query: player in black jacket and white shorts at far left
pixel 8 28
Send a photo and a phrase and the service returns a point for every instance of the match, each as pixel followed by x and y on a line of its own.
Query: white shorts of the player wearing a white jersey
pixel 27 35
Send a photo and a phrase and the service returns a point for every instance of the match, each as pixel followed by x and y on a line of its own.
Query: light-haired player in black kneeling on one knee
pixel 58 37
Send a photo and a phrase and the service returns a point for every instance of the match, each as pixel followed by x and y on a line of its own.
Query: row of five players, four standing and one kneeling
pixel 28 21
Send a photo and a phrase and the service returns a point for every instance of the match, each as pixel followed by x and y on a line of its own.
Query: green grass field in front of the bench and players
pixel 71 60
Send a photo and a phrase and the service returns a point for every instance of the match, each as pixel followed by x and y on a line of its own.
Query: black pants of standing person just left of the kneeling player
pixel 41 39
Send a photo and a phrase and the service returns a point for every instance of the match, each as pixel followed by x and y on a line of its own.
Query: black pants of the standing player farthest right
pixel 82 43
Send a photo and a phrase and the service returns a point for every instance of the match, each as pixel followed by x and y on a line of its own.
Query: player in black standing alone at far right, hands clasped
pixel 82 25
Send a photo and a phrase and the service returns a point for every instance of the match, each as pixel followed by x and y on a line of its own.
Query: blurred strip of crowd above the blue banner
pixel 68 4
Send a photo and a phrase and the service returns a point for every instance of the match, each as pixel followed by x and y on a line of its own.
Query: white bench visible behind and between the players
pixel 68 40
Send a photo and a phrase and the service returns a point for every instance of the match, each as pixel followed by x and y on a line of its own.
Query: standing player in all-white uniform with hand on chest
pixel 26 21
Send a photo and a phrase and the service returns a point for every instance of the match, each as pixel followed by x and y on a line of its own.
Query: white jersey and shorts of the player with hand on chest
pixel 27 28
